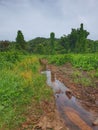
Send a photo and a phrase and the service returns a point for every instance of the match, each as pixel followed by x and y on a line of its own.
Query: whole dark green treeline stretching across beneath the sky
pixel 75 42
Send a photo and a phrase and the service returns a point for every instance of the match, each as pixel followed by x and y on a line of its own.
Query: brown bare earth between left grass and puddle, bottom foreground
pixel 43 116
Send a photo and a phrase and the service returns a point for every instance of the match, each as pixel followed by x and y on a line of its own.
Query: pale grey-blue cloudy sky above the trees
pixel 37 18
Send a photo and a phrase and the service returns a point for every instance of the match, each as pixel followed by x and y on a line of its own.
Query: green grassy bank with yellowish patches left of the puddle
pixel 21 84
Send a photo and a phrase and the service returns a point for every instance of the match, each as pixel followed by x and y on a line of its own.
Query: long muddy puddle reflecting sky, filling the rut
pixel 74 115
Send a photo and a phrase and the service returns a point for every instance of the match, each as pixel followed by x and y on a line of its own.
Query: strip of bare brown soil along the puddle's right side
pixel 88 96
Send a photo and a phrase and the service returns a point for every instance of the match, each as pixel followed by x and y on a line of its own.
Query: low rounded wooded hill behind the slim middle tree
pixel 41 45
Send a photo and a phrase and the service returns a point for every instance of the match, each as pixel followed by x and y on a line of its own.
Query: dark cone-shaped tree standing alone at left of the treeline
pixel 20 40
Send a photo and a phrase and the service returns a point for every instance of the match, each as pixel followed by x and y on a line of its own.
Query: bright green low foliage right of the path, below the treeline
pixel 81 61
